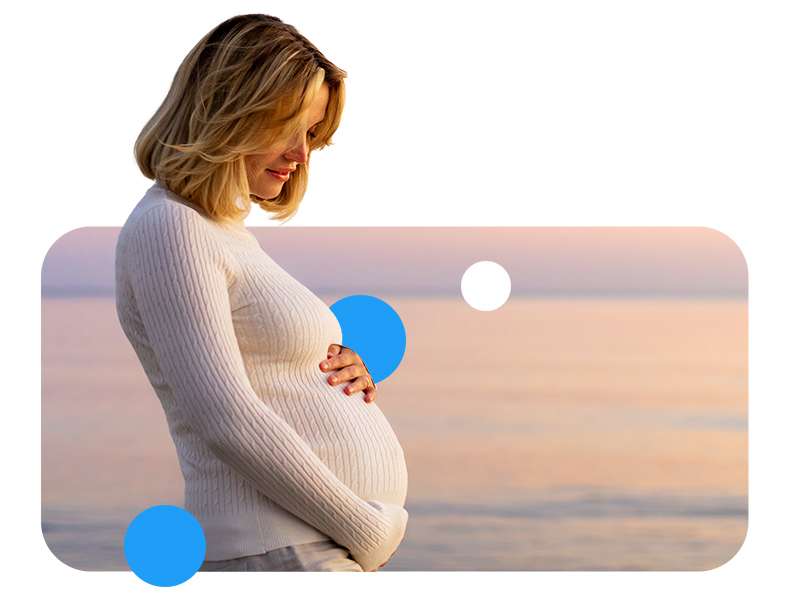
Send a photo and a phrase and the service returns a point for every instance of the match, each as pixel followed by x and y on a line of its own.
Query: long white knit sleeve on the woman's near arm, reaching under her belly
pixel 181 292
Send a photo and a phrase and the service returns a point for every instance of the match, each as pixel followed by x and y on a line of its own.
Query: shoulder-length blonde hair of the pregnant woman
pixel 243 88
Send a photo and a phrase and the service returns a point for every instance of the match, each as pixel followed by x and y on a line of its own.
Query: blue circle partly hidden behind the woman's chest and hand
pixel 374 331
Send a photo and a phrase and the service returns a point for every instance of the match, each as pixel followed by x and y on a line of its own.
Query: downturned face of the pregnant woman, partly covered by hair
pixel 266 173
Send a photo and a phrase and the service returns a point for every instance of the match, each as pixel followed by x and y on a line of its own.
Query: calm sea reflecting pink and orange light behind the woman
pixel 546 435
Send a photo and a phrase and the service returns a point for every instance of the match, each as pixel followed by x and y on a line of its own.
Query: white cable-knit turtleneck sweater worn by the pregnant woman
pixel 272 455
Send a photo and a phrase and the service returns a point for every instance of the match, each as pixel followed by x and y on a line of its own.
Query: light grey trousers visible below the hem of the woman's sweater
pixel 317 556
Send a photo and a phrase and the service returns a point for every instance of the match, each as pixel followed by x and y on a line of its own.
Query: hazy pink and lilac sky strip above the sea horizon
pixel 614 261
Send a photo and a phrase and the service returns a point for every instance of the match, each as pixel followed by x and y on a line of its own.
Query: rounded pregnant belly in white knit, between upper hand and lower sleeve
pixel 351 437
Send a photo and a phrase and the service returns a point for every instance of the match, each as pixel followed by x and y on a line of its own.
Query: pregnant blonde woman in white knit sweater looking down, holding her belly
pixel 288 464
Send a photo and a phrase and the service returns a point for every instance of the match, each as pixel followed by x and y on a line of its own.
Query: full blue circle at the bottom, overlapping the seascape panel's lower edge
pixel 165 545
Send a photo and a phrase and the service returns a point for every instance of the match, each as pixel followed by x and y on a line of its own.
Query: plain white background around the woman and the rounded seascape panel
pixel 458 113
